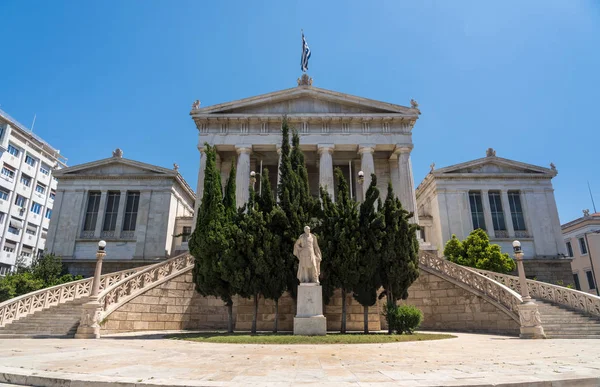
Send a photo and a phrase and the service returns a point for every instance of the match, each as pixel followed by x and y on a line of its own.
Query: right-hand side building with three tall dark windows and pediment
pixel 506 198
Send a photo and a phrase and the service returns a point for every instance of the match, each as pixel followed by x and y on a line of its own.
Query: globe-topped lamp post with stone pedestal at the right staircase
pixel 529 316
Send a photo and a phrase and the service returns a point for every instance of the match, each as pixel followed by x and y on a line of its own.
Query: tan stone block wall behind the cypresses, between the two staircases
pixel 175 305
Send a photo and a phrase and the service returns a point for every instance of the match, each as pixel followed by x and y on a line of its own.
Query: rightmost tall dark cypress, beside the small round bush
pixel 399 250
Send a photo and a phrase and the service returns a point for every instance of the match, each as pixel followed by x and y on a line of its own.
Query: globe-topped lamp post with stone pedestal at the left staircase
pixel 89 327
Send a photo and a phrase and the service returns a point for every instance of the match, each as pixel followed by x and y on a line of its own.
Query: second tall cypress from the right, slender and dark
pixel 372 225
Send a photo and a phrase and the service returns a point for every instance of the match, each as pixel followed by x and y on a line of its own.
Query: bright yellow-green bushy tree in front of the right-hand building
pixel 476 251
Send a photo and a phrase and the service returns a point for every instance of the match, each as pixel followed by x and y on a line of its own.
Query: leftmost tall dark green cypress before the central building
pixel 210 240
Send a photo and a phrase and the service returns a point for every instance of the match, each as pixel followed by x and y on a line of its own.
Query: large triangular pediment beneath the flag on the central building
pixel 305 100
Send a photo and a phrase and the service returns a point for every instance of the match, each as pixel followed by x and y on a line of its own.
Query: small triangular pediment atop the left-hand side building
pixel 115 166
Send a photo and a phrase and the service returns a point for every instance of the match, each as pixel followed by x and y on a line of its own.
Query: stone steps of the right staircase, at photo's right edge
pixel 561 322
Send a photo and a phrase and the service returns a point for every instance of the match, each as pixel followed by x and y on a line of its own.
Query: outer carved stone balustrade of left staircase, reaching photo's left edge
pixel 30 303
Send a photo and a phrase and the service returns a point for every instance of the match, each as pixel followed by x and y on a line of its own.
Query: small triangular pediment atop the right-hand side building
pixel 493 165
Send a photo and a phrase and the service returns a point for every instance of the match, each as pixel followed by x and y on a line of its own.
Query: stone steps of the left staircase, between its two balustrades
pixel 59 321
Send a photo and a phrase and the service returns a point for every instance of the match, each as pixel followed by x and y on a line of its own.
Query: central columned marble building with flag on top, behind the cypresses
pixel 336 129
